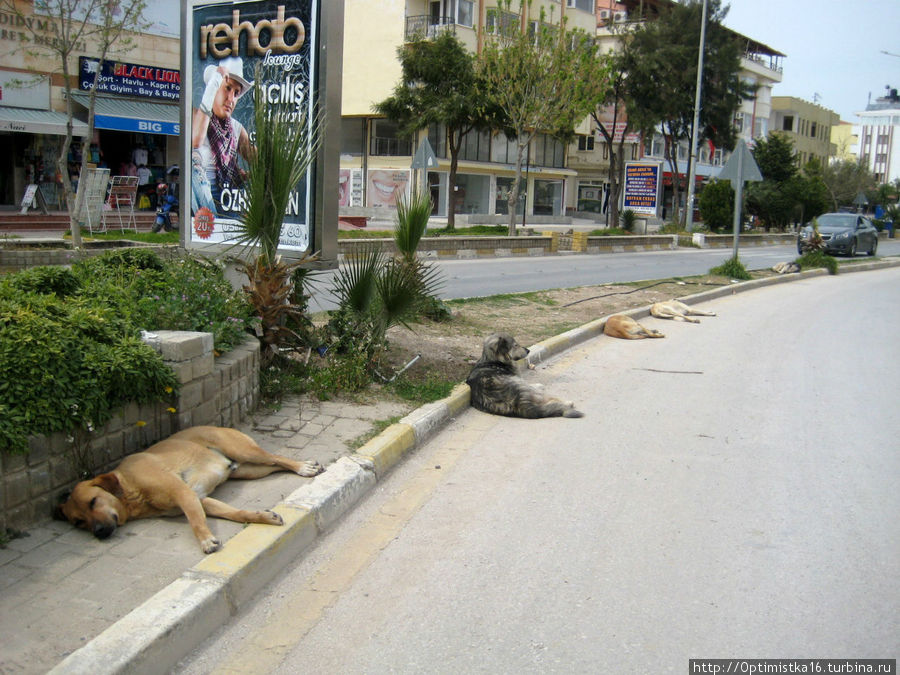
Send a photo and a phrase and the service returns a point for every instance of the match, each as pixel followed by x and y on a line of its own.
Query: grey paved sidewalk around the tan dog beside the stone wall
pixel 60 587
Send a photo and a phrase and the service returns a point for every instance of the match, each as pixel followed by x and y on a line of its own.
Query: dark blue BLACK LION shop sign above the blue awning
pixel 130 79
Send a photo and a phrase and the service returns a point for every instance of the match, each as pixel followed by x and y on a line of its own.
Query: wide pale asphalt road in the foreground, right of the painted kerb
pixel 730 493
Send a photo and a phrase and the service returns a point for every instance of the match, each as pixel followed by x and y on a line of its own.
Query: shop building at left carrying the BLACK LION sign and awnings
pixel 137 118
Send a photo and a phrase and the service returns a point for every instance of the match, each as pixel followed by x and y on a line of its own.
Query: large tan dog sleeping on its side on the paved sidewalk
pixel 176 476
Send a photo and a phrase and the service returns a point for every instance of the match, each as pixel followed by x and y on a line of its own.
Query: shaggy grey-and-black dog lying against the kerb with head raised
pixel 497 388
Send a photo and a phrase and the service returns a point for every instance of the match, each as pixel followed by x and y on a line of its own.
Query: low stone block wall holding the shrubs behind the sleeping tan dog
pixel 220 391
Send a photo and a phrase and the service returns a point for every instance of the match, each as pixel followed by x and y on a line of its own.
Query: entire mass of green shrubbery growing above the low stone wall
pixel 70 347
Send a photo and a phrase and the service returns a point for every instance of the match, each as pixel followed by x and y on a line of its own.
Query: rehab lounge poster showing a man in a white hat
pixel 237 47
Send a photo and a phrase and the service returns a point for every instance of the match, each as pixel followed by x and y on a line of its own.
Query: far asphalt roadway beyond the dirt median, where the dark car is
pixel 478 278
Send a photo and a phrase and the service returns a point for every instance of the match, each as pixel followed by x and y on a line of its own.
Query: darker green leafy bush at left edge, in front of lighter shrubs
pixel 66 365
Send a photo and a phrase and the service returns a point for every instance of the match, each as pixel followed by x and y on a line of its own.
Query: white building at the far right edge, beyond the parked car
pixel 879 137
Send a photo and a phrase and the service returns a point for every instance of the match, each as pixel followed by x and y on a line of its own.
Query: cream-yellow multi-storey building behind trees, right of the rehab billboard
pixel 375 160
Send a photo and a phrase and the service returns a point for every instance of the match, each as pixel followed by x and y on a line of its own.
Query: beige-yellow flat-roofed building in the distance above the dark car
pixel 808 125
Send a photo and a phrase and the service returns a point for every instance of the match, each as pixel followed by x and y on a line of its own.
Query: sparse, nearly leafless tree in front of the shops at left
pixel 106 26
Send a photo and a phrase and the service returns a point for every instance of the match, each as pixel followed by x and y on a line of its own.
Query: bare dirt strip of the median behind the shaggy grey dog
pixel 448 349
